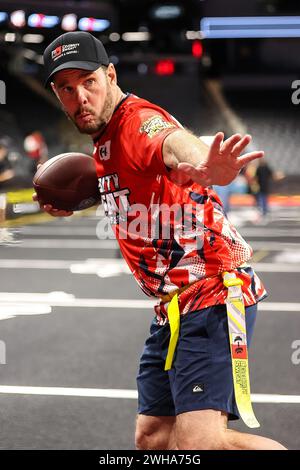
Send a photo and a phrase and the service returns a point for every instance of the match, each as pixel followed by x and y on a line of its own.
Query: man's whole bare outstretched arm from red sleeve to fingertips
pixel 218 163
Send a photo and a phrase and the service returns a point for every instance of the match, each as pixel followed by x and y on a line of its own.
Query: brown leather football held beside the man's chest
pixel 67 182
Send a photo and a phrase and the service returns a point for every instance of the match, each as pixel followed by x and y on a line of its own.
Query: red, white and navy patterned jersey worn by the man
pixel 170 235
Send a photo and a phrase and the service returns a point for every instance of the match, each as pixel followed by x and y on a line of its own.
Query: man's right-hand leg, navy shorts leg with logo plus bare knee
pixel 203 387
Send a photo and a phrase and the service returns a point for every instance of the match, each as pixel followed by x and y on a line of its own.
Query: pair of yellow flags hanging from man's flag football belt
pixel 238 344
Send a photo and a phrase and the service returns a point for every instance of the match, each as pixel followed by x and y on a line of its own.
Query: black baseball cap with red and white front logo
pixel 74 50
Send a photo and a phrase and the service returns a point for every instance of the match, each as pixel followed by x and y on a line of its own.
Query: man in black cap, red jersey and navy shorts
pixel 143 156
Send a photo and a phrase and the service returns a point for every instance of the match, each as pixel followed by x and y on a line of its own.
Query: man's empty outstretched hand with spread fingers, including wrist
pixel 223 162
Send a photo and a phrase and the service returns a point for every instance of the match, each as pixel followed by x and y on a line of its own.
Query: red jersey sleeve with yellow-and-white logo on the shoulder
pixel 143 134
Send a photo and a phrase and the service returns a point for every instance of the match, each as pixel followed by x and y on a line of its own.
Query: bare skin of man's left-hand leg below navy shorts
pixel 155 432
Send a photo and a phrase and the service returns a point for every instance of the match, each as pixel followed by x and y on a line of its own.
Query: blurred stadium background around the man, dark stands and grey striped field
pixel 215 65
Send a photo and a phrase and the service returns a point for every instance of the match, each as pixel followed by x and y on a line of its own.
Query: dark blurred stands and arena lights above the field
pixel 227 74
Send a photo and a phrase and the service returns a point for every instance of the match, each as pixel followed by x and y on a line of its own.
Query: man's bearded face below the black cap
pixel 86 97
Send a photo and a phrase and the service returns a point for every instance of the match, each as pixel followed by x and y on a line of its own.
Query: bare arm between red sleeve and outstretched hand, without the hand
pixel 182 146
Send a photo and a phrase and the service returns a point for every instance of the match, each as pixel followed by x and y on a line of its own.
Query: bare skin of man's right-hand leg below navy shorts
pixel 207 430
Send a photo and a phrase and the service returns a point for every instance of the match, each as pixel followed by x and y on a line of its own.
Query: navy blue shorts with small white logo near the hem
pixel 201 376
